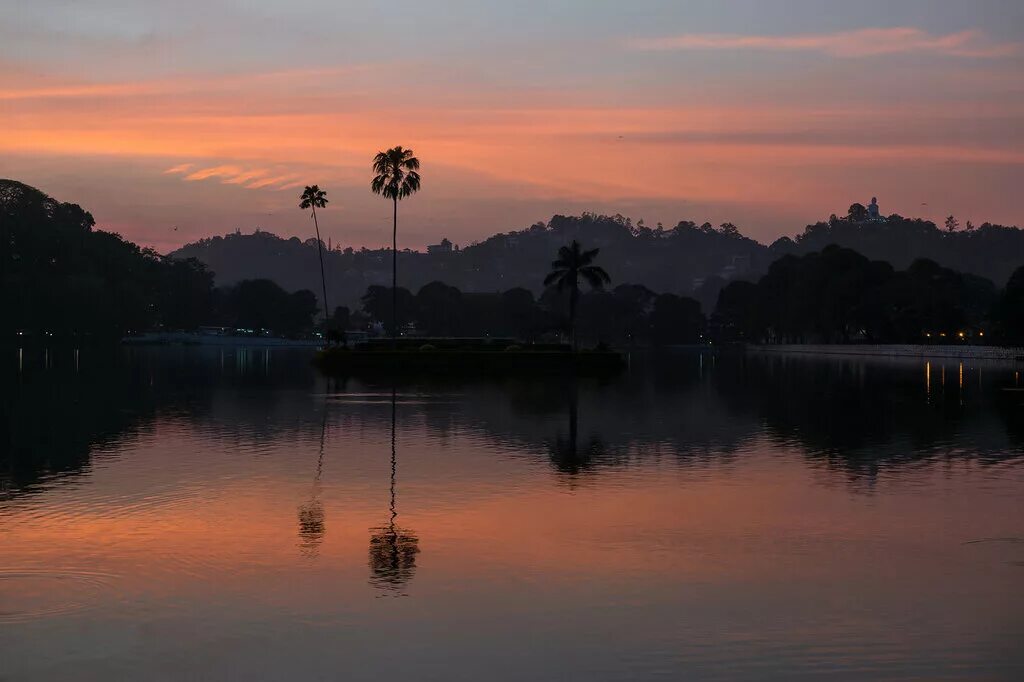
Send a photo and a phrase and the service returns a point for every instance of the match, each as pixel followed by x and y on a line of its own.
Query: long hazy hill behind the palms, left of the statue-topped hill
pixel 678 261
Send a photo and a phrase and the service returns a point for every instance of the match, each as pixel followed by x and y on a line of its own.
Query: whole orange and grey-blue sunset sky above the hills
pixel 176 121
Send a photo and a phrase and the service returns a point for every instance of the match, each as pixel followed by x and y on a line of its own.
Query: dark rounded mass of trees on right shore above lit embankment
pixel 839 296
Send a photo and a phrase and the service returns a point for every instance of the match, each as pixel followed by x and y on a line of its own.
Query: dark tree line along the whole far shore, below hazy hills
pixel 63 277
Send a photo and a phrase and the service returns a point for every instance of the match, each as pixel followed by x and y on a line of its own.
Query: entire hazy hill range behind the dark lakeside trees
pixel 691 260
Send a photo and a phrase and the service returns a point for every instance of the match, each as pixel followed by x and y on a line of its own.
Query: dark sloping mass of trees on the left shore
pixel 62 278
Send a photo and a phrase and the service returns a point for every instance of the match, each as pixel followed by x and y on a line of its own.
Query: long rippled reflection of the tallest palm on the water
pixel 393 549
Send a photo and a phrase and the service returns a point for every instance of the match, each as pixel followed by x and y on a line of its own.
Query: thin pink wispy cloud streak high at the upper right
pixel 860 44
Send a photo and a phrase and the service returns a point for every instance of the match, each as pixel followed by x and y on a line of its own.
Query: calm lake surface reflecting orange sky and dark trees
pixel 172 515
